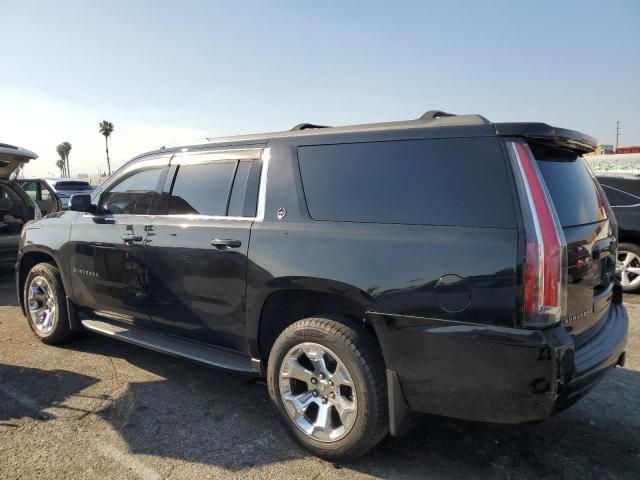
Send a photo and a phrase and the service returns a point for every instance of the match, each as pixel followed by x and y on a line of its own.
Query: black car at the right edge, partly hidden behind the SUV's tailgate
pixel 623 192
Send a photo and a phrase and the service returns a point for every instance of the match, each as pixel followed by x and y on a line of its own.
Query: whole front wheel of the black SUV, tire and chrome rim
pixel 45 304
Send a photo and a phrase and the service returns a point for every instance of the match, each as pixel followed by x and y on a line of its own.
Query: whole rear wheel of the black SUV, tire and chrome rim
pixel 326 379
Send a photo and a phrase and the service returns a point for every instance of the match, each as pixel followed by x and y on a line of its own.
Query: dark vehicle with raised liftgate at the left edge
pixel 16 208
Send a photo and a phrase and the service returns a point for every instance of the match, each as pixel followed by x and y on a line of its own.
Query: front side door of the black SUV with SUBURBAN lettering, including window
pixel 107 248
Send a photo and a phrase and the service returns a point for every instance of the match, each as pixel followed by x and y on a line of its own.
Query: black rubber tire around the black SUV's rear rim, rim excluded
pixel 358 350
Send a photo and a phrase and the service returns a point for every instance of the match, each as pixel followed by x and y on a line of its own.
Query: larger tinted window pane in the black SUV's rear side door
pixel 202 189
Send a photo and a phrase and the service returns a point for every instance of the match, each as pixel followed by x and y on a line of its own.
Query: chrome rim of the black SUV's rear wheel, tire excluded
pixel 318 392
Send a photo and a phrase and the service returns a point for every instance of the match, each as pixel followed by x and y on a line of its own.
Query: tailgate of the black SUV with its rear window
pixel 591 237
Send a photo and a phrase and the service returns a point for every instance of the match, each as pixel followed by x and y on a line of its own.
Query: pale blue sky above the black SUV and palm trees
pixel 167 72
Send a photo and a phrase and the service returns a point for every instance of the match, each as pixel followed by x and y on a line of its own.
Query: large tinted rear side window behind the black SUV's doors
pixel 461 182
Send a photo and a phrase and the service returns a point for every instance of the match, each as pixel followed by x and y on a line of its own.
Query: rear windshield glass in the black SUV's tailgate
pixel 570 185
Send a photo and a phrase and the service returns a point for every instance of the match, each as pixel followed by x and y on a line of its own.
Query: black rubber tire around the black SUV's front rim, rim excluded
pixel 60 331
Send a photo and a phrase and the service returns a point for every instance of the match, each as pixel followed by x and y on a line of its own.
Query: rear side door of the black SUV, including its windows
pixel 197 251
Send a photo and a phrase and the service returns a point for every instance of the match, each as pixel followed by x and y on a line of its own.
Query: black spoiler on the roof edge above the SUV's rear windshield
pixel 561 137
